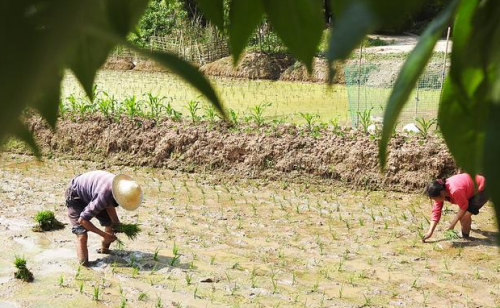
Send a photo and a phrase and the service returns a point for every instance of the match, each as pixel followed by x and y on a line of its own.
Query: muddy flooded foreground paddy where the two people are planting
pixel 244 244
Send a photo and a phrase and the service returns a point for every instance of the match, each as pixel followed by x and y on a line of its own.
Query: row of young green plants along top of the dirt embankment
pixel 154 107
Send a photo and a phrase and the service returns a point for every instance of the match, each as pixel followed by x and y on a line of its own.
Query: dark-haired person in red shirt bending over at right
pixel 461 190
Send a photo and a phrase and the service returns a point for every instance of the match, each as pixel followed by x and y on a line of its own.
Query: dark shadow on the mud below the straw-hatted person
pixel 144 261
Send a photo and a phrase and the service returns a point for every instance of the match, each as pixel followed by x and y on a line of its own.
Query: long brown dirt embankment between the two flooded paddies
pixel 281 153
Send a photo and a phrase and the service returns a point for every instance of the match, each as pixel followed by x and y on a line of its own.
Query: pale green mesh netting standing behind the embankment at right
pixel 370 80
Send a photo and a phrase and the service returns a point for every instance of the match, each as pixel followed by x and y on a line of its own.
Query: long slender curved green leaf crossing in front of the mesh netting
pixel 411 71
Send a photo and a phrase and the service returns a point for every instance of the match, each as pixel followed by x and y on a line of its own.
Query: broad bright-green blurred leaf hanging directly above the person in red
pixel 462 96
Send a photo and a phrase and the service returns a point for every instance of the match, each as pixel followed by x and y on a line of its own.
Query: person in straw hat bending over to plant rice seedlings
pixel 96 194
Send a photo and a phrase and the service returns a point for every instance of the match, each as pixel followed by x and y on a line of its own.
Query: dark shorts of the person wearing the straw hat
pixel 75 207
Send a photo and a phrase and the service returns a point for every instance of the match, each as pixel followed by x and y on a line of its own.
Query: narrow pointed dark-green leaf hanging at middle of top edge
pixel 244 17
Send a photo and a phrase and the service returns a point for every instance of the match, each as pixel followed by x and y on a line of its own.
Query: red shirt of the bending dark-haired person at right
pixel 461 188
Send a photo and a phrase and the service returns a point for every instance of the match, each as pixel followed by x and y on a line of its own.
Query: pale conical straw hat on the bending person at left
pixel 126 192
